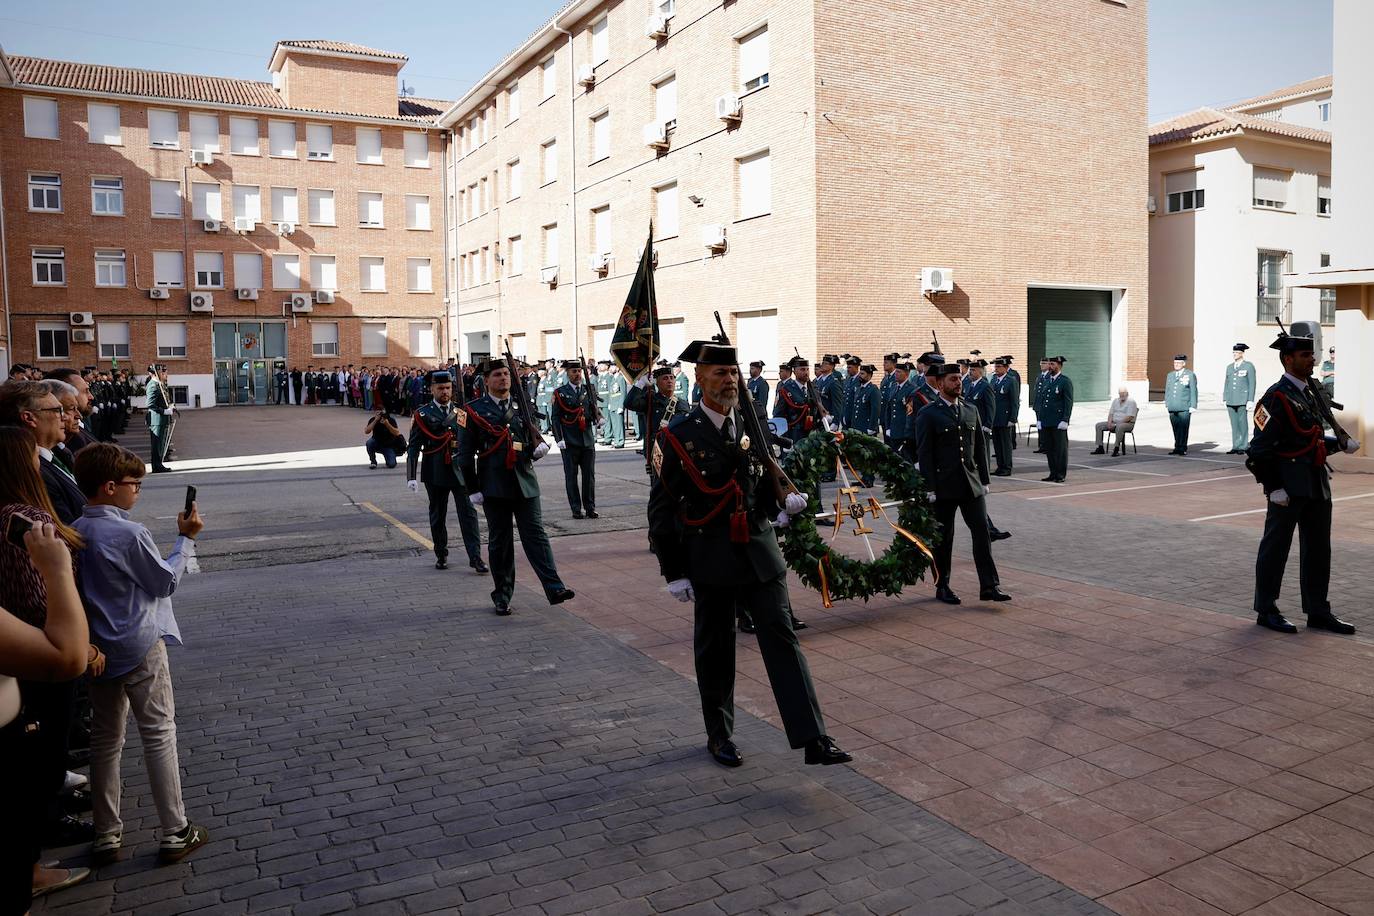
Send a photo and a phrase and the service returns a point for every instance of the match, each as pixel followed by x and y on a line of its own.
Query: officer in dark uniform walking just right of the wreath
pixel 953 455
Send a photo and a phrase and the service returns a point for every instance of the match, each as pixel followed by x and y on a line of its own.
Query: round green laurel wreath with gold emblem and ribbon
pixel 903 564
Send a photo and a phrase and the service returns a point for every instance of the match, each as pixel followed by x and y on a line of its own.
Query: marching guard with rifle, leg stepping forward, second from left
pixel 497 455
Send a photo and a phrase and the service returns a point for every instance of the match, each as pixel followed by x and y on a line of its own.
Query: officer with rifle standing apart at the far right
pixel 1288 457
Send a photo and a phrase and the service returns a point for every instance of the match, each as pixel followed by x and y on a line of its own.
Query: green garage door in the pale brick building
pixel 1077 326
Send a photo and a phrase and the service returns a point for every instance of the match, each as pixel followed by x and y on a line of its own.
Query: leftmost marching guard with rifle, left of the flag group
pixel 436 436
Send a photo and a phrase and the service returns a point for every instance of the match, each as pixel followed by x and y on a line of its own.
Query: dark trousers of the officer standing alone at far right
pixel 1313 520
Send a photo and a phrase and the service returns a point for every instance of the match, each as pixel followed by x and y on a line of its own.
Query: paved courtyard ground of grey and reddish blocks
pixel 361 734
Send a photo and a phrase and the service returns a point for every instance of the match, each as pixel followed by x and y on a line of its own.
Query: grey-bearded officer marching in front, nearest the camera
pixel 711 518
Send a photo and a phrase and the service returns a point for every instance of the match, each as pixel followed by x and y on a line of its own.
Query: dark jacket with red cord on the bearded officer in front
pixel 703 551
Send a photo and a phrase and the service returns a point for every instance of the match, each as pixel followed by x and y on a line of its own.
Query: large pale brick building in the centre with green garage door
pixel 806 165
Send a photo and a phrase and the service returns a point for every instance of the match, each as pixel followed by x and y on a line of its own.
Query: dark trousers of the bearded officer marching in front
pixel 714 643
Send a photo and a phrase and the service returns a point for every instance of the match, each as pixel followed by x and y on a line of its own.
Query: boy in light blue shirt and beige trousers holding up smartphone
pixel 127 588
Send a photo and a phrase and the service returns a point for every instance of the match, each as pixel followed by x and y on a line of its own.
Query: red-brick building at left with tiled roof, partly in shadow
pixel 222 226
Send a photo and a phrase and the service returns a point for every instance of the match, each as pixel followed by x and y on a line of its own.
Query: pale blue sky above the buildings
pixel 1202 51
